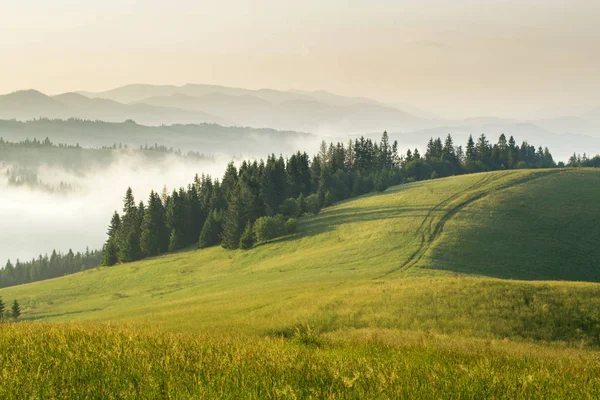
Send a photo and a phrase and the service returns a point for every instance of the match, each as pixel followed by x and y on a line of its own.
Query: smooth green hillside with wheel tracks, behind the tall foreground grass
pixel 380 261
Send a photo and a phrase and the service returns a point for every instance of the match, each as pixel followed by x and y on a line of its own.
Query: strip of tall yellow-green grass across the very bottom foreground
pixel 91 361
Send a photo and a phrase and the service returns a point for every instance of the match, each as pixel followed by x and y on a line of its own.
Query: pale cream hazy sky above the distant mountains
pixel 521 58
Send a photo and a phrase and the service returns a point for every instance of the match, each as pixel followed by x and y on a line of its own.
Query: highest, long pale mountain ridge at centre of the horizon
pixel 317 111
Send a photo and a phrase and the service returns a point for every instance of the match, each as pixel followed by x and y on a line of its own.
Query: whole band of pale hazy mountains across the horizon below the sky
pixel 318 112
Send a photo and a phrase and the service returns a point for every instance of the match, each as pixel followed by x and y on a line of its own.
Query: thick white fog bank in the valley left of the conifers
pixel 36 221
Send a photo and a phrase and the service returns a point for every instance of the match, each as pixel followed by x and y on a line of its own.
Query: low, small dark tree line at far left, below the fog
pixel 45 267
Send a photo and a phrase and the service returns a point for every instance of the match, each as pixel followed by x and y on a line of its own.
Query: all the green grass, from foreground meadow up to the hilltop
pixel 368 276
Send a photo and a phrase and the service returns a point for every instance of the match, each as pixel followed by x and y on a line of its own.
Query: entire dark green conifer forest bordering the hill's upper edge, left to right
pixel 260 200
